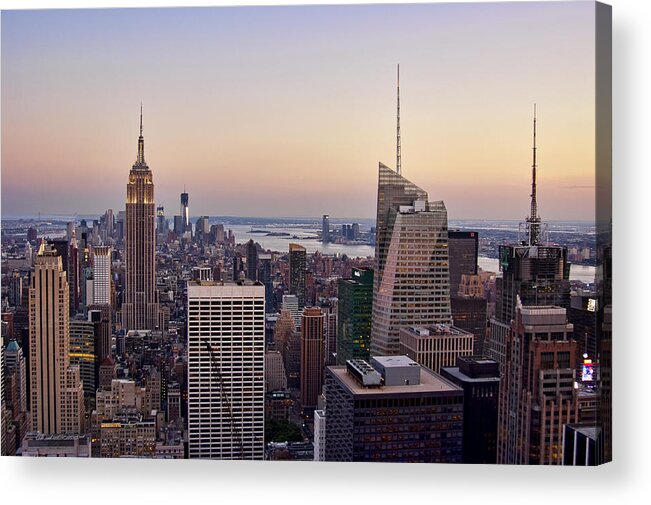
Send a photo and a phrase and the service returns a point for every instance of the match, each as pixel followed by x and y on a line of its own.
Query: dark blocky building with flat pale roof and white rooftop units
pixel 392 410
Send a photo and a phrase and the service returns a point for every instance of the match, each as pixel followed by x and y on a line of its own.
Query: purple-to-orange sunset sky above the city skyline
pixel 286 111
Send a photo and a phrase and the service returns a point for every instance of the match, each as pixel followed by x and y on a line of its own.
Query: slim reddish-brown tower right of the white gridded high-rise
pixel 312 357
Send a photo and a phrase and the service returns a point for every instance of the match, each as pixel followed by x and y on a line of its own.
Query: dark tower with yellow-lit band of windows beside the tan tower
pixel 83 354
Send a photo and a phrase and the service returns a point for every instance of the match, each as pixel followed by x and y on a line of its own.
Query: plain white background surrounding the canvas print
pixel 113 481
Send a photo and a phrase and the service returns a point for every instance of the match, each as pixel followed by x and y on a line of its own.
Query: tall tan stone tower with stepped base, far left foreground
pixel 56 394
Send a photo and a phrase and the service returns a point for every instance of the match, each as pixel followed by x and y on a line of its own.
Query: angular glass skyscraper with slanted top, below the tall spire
pixel 411 284
